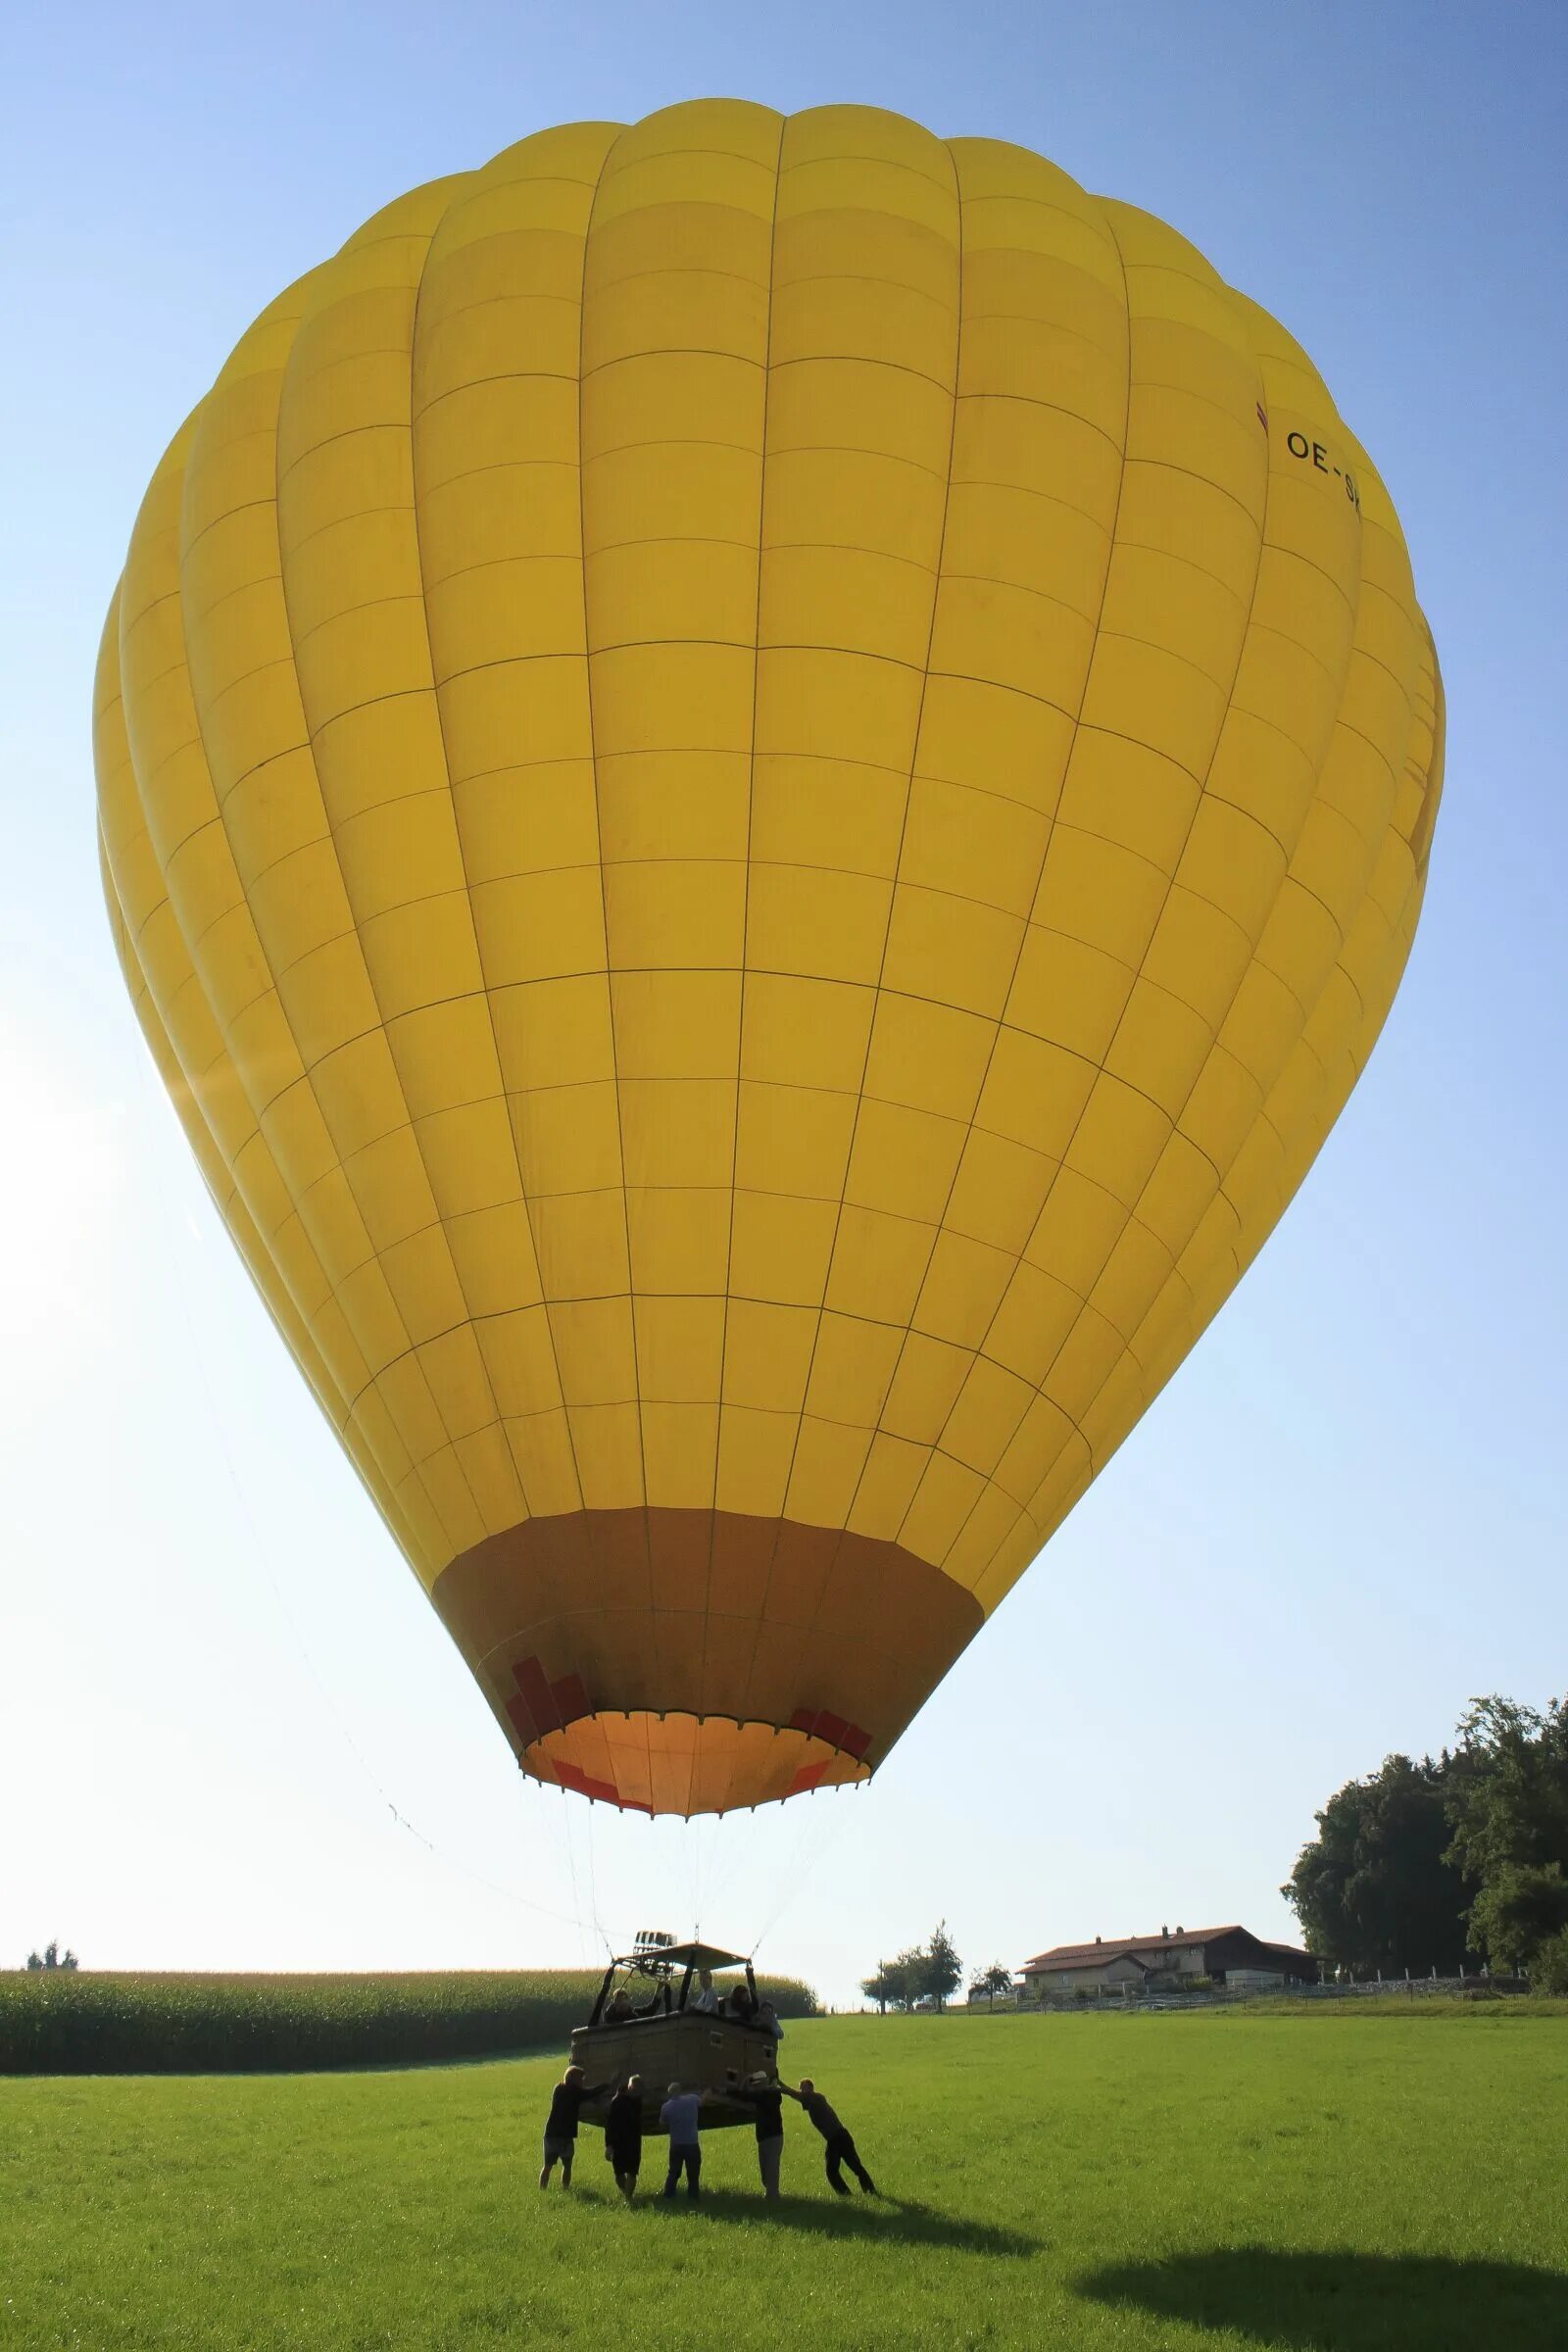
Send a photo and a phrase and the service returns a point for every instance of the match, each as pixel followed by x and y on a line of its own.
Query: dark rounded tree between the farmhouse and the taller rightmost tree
pixel 1379 1887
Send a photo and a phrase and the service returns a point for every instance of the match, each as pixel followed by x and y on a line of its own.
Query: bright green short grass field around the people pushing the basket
pixel 1369 2184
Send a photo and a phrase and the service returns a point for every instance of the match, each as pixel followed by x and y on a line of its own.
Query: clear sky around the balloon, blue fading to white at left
pixel 1343 1518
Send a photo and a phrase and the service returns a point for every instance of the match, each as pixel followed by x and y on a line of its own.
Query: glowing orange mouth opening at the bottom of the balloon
pixel 695 1765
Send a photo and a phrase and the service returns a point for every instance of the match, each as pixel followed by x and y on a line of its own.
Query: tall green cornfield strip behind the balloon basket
pixel 105 2024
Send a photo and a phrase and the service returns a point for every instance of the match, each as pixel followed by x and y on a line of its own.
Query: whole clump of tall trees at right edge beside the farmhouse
pixel 1449 1864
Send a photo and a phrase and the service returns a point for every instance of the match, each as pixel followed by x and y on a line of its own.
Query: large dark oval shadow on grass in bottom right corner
pixel 1348 2301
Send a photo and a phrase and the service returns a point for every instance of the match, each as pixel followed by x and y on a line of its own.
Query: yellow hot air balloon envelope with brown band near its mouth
pixel 763 784
